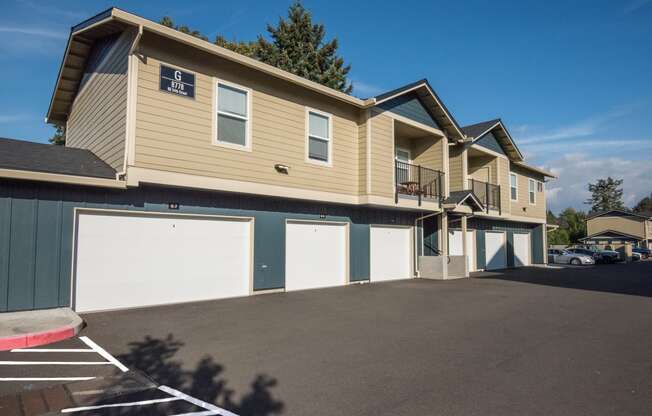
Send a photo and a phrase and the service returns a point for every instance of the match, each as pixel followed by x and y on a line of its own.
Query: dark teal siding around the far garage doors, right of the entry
pixel 482 225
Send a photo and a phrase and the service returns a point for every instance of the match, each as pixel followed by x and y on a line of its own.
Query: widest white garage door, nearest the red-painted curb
pixel 132 260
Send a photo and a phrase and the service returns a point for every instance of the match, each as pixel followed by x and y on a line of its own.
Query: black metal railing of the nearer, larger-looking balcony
pixel 415 180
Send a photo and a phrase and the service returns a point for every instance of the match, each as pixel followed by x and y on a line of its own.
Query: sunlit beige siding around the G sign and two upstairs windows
pixel 175 133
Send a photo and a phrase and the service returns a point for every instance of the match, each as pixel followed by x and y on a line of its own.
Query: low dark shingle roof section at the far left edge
pixel 38 157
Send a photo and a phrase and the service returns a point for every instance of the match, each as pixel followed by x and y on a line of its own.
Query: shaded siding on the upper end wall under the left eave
pixel 98 114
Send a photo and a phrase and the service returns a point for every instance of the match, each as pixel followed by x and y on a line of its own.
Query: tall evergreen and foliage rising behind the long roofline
pixel 297 46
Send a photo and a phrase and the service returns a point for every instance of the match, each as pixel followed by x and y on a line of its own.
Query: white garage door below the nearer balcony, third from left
pixel 391 253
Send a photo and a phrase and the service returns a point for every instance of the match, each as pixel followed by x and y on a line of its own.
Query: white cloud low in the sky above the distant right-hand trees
pixel 576 170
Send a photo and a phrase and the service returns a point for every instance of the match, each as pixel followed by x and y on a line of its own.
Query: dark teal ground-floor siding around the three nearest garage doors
pixel 37 221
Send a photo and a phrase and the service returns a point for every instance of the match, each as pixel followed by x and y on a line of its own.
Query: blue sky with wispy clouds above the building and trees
pixel 571 79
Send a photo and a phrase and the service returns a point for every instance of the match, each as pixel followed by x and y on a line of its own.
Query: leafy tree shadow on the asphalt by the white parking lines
pixel 156 359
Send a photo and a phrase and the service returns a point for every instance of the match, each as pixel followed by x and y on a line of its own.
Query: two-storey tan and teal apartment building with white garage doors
pixel 191 172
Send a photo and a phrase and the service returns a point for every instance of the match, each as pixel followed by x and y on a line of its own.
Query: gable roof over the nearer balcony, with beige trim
pixel 432 102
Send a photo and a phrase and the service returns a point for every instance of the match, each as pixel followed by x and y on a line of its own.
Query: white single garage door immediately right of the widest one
pixel 315 255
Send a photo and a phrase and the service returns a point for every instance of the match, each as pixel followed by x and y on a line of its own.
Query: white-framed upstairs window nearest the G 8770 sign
pixel 233 108
